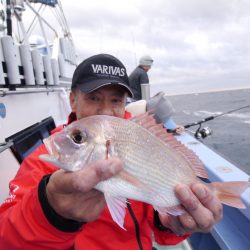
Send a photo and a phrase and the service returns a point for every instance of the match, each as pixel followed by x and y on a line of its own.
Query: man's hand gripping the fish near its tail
pixel 203 210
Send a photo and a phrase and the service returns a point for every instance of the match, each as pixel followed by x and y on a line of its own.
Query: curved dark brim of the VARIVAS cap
pixel 90 86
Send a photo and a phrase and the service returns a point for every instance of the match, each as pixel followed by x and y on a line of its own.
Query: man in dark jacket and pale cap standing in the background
pixel 139 76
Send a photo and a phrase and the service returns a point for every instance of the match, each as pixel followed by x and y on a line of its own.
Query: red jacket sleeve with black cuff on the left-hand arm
pixel 24 224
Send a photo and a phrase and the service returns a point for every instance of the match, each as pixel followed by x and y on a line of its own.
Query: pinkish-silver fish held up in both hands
pixel 154 162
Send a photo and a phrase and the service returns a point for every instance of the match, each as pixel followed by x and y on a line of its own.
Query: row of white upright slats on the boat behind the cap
pixel 21 66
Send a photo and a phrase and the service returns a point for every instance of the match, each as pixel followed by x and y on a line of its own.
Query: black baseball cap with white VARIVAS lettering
pixel 98 71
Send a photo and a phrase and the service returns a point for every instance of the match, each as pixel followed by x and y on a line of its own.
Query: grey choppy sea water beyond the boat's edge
pixel 231 132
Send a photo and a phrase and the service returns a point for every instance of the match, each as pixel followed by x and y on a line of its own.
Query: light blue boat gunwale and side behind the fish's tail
pixel 233 231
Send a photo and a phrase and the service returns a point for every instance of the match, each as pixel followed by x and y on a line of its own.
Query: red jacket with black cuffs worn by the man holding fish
pixel 25 222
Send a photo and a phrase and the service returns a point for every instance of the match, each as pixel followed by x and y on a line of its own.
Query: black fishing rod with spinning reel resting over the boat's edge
pixel 202 133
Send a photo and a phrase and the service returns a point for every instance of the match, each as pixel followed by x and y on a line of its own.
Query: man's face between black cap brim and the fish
pixel 107 100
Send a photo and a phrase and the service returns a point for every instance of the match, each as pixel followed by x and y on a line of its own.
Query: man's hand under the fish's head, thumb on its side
pixel 72 194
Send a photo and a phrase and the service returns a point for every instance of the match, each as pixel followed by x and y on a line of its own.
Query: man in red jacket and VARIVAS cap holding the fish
pixel 49 208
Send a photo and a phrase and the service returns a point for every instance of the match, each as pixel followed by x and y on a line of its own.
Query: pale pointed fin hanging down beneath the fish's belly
pixel 117 208
